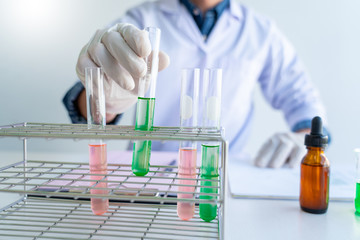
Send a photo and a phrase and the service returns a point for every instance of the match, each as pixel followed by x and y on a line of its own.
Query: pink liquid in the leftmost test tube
pixel 98 165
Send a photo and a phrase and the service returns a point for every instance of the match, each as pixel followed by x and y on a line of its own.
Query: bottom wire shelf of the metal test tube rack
pixel 41 218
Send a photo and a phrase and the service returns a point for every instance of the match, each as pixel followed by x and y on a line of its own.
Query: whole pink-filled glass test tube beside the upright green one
pixel 189 104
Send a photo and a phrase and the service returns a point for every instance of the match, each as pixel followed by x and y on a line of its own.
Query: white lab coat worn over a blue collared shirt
pixel 252 52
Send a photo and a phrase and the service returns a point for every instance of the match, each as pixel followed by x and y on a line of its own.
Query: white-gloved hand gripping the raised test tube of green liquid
pixel 120 51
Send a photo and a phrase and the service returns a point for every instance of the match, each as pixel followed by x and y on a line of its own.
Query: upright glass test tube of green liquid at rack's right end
pixel 210 152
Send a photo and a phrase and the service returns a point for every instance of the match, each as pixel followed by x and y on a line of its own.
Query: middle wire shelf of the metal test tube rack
pixel 71 179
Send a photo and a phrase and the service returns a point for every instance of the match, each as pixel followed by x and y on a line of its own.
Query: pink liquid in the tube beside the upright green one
pixel 187 169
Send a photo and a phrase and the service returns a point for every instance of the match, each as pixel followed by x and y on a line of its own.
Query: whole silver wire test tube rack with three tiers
pixel 137 213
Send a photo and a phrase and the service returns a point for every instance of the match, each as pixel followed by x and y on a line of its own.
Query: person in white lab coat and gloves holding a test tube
pixel 205 34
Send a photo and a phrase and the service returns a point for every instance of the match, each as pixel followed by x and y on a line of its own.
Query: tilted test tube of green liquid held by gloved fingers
pixel 146 105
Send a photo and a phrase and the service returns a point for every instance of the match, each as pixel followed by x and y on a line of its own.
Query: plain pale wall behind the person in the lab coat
pixel 40 41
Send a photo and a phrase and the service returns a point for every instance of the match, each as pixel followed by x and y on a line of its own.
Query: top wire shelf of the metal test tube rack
pixel 81 131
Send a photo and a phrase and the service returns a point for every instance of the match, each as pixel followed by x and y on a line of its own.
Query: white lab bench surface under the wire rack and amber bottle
pixel 40 217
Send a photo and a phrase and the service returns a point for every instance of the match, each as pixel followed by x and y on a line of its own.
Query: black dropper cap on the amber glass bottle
pixel 316 138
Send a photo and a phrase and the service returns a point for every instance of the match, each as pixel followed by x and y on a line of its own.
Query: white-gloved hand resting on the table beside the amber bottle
pixel 282 148
